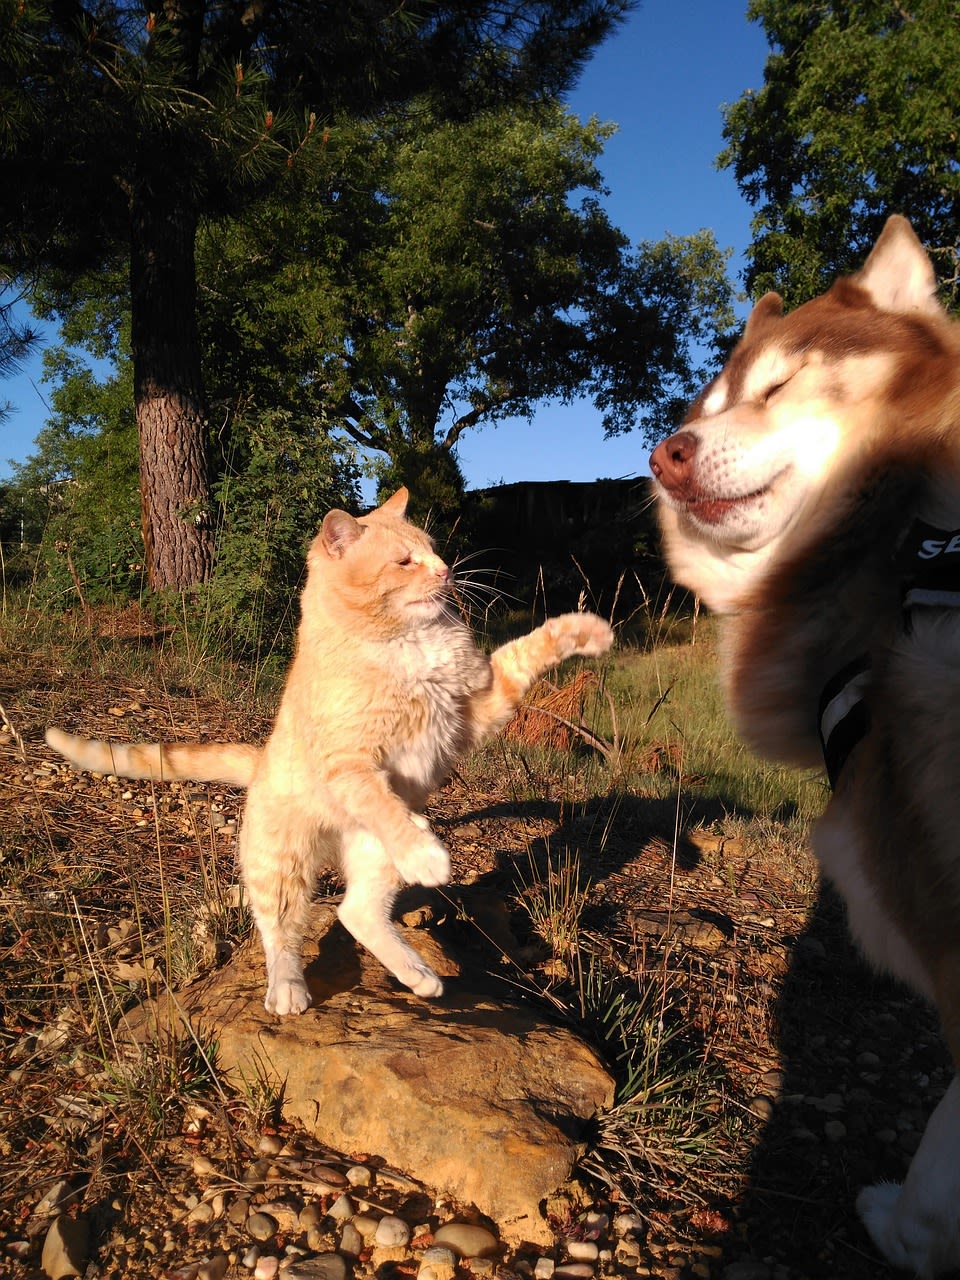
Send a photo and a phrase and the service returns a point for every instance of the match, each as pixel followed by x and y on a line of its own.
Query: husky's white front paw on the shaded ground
pixel 925 1245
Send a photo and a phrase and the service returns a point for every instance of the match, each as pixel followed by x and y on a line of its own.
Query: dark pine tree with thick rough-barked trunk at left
pixel 125 129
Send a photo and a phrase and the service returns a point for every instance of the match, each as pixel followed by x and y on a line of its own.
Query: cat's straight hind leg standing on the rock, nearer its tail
pixel 278 856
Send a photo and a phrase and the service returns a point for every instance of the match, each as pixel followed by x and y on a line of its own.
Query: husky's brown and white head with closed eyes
pixel 804 401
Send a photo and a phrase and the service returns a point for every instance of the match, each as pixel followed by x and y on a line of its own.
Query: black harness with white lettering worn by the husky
pixel 927 564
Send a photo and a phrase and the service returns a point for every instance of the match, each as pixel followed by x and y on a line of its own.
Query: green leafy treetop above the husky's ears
pixel 857 118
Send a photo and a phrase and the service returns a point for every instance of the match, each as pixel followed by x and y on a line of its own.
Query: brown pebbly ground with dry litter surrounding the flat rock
pixel 819 1075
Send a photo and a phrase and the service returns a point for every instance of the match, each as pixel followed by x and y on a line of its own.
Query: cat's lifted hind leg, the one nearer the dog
pixel 373 884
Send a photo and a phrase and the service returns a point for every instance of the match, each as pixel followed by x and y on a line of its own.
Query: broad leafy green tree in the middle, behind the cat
pixel 442 276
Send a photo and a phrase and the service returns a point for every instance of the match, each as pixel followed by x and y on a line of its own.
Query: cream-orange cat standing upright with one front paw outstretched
pixel 387 691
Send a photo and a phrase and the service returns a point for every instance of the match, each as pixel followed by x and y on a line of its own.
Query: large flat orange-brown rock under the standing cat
pixel 483 1100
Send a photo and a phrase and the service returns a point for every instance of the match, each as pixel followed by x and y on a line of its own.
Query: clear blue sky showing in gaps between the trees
pixel 662 80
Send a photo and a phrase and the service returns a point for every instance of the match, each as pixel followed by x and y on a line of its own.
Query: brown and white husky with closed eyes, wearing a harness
pixel 812 497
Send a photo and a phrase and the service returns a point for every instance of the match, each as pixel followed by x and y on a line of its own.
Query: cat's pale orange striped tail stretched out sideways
pixel 232 764
